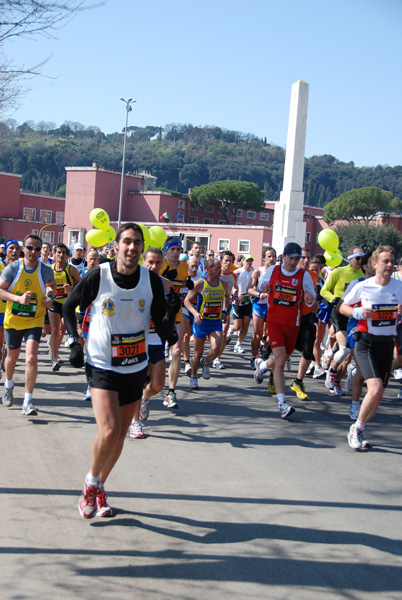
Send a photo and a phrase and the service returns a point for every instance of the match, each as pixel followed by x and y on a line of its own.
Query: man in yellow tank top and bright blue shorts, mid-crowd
pixel 213 298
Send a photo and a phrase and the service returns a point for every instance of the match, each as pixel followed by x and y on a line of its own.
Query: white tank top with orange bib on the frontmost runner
pixel 118 335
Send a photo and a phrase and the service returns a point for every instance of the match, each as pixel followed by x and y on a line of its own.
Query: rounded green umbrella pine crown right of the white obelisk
pixel 361 204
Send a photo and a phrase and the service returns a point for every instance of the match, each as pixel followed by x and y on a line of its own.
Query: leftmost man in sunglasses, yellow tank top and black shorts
pixel 29 287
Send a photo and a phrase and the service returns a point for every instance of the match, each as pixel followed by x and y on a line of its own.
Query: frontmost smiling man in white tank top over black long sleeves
pixel 123 297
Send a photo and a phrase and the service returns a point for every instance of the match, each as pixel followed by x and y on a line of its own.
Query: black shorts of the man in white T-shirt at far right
pixel 374 355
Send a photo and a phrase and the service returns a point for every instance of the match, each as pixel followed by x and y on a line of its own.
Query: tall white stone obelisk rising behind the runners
pixel 288 217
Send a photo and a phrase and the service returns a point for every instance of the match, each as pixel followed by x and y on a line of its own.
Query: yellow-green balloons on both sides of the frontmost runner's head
pixel 104 234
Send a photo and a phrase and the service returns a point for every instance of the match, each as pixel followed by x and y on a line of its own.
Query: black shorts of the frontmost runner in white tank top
pixel 128 385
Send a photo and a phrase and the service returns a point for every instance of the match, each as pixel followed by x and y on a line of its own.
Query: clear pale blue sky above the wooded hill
pixel 230 64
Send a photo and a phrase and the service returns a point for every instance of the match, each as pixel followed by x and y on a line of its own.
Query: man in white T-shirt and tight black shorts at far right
pixel 376 303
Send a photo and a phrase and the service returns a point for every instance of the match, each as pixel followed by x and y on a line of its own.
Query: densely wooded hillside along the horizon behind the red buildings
pixel 181 156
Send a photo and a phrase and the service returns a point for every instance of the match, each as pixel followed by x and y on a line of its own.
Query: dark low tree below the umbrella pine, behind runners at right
pixel 368 237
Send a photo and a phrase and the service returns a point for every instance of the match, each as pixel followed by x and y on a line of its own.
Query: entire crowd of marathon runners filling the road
pixel 128 312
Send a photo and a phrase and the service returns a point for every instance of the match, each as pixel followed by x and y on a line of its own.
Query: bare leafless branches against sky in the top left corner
pixel 23 18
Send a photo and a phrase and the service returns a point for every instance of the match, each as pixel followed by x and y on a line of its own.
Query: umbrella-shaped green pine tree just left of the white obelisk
pixel 230 196
